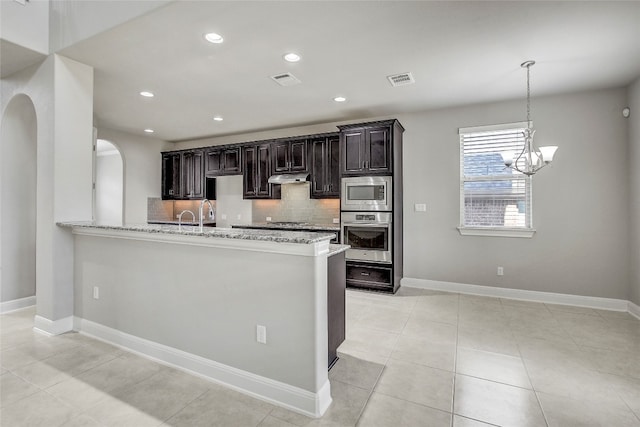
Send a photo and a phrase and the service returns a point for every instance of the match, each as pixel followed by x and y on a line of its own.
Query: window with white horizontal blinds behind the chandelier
pixel 494 200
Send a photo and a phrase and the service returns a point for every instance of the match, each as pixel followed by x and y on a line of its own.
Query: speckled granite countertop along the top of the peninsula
pixel 278 236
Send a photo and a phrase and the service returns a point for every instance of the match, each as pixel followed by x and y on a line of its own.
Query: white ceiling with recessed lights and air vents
pixel 458 52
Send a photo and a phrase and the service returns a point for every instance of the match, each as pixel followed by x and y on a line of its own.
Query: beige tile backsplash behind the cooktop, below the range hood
pixel 296 205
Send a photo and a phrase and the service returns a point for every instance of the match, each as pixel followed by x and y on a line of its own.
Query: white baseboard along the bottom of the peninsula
pixel 281 394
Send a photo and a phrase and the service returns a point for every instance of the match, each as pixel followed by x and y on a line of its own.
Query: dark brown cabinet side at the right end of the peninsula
pixel 335 304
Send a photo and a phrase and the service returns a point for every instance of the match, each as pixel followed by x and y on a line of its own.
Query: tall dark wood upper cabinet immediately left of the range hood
pixel 256 163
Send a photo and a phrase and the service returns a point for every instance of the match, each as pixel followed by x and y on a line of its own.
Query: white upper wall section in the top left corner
pixel 26 24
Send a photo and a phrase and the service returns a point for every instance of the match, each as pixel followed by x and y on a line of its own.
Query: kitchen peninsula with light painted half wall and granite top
pixel 196 300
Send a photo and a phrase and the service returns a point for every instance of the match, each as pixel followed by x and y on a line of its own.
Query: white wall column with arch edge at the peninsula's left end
pixel 62 94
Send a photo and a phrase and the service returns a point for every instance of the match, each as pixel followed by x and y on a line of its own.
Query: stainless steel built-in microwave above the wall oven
pixel 366 193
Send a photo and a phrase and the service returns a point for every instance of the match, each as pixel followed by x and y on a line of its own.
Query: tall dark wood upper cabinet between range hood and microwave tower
pixel 325 167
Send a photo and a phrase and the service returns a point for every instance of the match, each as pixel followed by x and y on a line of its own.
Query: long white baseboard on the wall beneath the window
pixel 519 294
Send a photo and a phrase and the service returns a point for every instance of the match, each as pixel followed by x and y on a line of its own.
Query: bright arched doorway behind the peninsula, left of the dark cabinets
pixel 109 189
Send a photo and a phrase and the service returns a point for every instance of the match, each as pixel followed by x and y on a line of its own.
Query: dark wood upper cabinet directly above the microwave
pixel 367 148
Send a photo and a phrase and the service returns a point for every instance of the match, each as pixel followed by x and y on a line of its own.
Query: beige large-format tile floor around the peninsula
pixel 418 358
